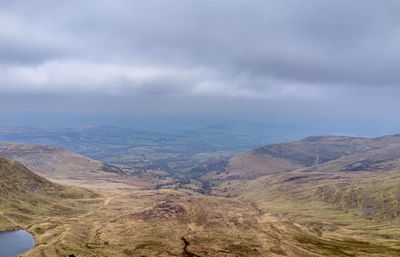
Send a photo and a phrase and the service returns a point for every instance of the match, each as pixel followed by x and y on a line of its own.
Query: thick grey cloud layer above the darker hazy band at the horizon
pixel 234 48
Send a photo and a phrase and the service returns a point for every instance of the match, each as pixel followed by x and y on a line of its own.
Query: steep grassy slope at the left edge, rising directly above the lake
pixel 26 196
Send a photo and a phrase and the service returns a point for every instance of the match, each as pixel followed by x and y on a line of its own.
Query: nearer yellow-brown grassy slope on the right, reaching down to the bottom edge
pixel 354 213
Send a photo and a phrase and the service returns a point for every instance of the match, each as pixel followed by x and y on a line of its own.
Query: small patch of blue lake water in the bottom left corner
pixel 13 243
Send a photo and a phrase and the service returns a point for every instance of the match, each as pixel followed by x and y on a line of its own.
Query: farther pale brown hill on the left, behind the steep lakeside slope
pixel 65 167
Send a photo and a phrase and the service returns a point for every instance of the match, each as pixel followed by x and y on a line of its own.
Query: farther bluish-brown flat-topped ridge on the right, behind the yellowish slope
pixel 312 154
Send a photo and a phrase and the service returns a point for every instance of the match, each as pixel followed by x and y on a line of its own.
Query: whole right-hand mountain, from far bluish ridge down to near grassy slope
pixel 343 190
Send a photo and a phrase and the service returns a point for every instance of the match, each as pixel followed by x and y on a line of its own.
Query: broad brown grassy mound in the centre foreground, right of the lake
pixel 169 223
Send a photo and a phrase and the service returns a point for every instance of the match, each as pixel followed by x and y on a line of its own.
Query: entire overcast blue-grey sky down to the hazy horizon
pixel 288 60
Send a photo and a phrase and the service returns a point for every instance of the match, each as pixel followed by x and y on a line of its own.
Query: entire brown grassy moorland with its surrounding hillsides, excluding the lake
pixel 329 196
